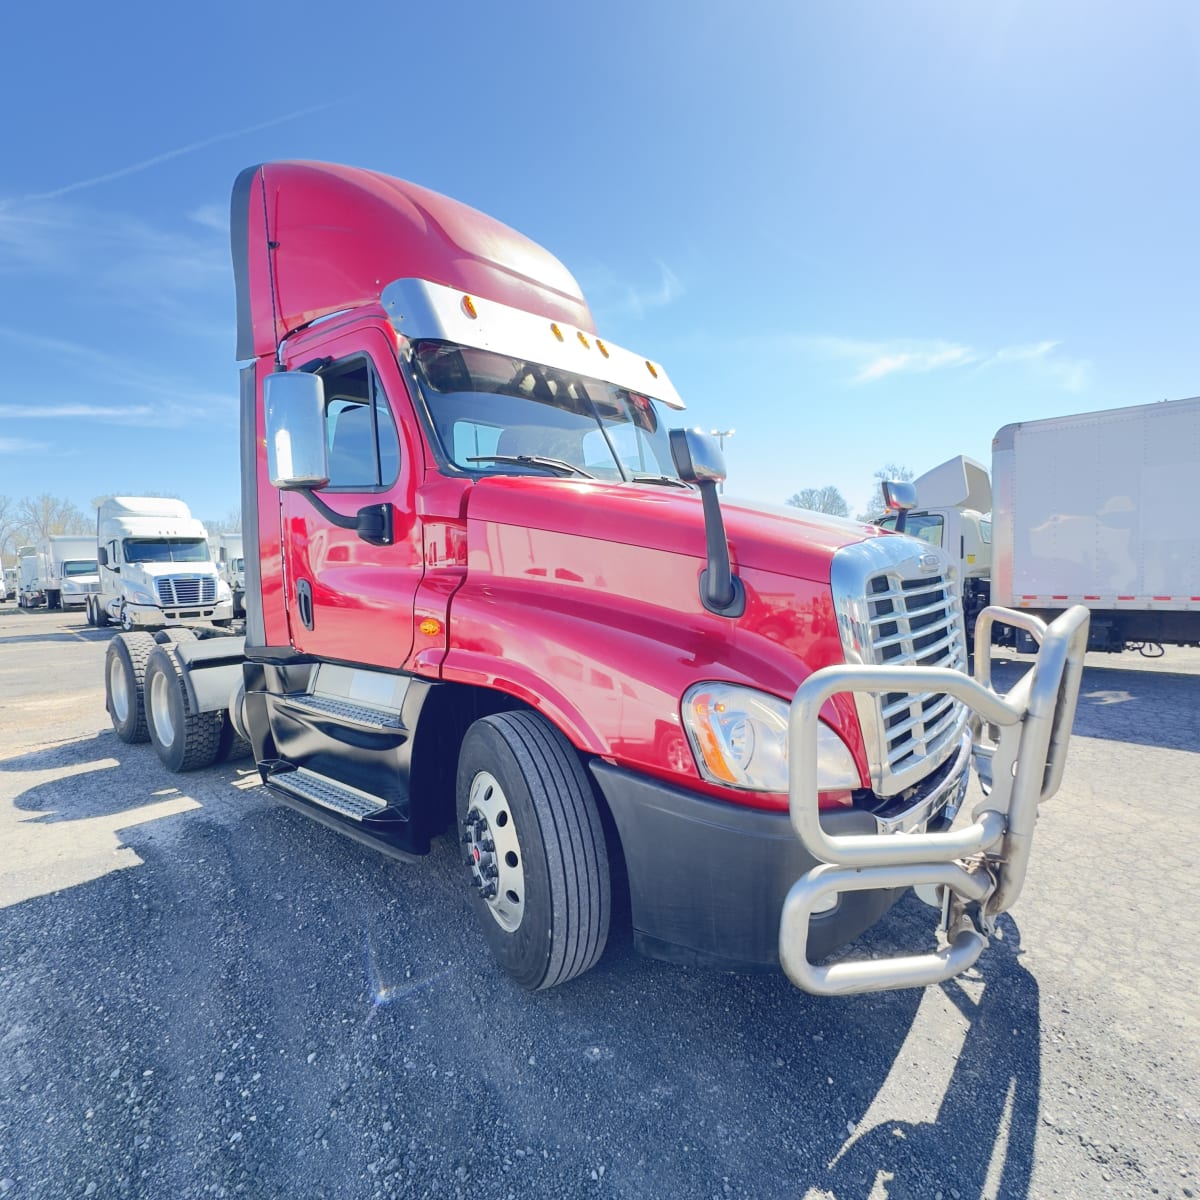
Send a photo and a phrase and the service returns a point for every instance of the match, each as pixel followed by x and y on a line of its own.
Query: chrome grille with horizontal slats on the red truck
pixel 898 605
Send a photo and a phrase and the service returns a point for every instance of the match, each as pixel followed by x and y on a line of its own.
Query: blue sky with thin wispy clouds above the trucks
pixel 857 233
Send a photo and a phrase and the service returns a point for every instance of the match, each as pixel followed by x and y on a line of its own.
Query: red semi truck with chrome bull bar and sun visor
pixel 490 592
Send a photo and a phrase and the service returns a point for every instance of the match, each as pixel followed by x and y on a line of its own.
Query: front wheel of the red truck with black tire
pixel 536 849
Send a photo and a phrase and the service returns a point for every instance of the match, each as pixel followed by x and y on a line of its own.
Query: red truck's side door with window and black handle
pixel 350 599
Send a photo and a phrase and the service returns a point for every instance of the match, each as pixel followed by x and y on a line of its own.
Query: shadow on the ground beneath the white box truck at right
pixel 1151 709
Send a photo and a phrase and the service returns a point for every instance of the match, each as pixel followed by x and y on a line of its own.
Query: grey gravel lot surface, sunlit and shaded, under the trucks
pixel 202 993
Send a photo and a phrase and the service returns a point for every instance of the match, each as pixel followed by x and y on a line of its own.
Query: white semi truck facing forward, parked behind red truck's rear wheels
pixel 155 567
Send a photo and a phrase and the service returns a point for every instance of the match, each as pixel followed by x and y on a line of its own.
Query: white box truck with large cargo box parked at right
pixel 1093 509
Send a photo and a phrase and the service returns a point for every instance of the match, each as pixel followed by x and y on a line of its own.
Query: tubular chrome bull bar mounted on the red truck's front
pixel 1019 747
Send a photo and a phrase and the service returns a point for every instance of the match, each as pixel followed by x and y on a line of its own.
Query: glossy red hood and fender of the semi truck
pixel 584 601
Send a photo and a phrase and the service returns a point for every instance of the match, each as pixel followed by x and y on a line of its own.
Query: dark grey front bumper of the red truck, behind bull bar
pixel 709 880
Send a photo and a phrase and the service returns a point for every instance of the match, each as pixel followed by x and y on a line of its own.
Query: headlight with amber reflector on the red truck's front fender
pixel 740 739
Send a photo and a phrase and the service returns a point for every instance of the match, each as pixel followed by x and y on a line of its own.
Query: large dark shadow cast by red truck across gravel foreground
pixel 260 1004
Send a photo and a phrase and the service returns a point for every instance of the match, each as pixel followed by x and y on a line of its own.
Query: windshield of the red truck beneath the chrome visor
pixel 499 415
